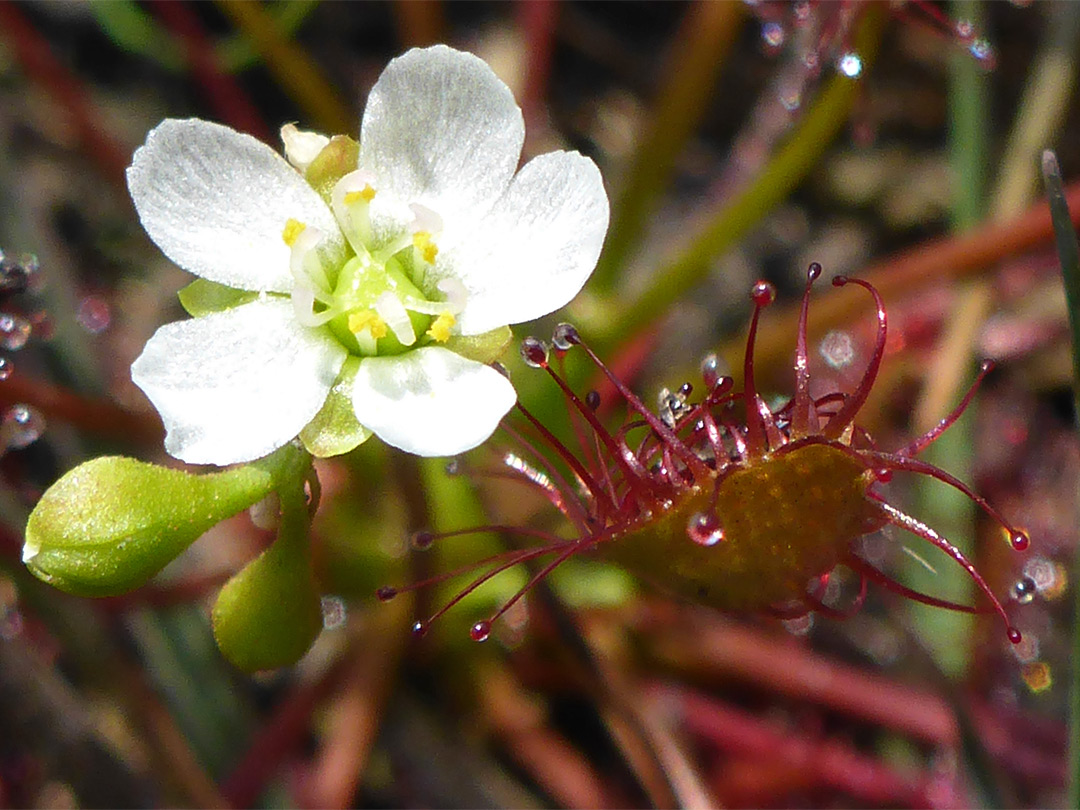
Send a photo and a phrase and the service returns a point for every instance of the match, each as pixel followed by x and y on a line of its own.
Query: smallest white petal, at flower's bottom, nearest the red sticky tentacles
pixel 431 402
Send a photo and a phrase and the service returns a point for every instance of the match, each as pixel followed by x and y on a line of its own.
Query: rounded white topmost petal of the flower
pixel 441 130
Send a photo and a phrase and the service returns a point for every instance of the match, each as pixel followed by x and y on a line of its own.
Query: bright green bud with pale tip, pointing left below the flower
pixel 111 524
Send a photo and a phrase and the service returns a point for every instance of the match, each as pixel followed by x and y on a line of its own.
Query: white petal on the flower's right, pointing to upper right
pixel 536 249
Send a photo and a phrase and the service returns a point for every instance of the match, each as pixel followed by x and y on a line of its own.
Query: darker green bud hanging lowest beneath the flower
pixel 271 613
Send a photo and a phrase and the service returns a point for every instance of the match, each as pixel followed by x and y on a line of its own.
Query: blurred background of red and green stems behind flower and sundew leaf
pixel 898 142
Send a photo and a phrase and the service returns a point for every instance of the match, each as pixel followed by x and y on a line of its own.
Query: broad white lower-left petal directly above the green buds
pixel 235 386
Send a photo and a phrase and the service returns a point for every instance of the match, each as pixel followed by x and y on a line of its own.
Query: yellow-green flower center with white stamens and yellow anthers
pixel 377 300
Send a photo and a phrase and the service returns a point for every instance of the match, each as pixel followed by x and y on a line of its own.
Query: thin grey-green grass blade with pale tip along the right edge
pixel 1069 253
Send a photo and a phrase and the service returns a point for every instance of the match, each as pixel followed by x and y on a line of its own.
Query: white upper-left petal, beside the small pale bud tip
pixel 217 201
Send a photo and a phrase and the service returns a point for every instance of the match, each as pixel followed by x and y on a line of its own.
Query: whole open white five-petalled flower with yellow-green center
pixel 358 293
